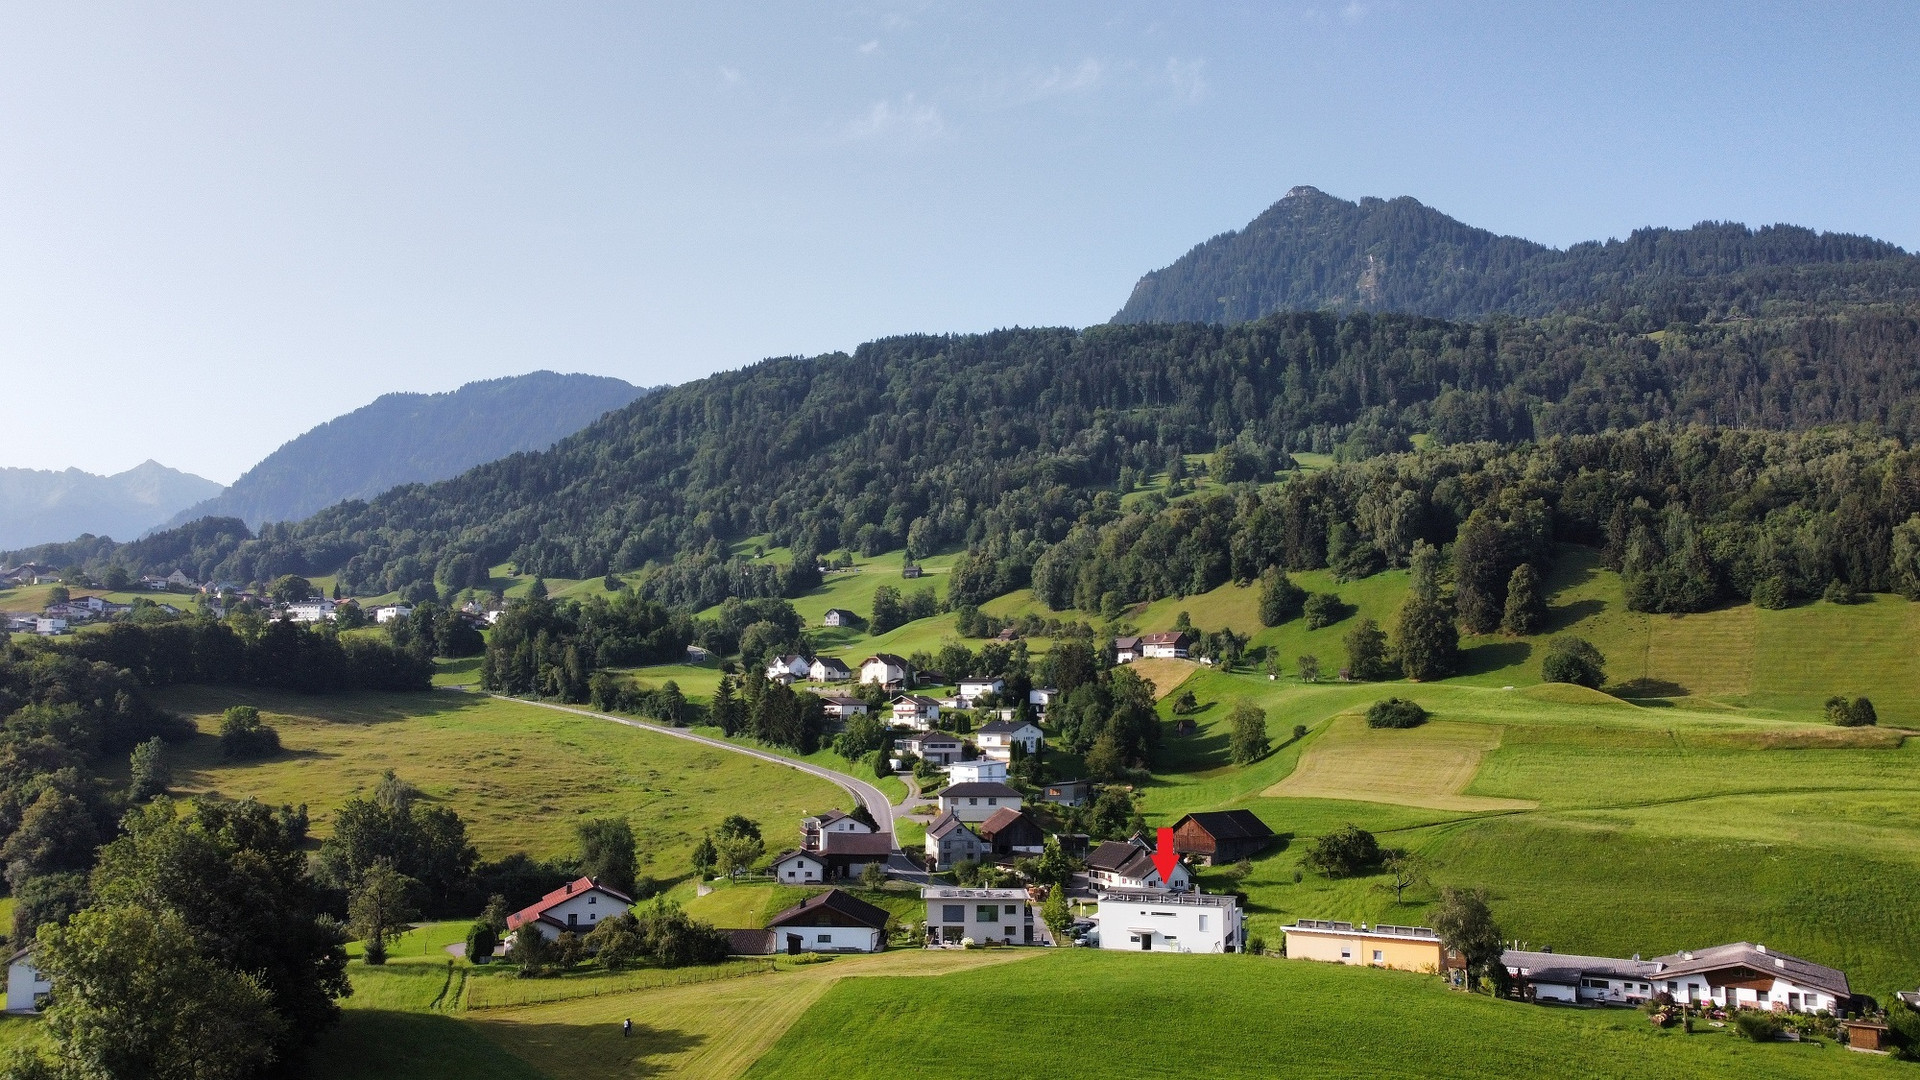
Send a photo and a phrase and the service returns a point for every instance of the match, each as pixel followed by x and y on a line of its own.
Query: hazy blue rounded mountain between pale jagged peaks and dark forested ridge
pixel 404 439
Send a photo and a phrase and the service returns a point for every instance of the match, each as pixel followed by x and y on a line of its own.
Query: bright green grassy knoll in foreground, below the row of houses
pixel 1255 1018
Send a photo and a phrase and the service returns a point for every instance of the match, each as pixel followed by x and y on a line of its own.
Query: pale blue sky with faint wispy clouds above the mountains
pixel 224 224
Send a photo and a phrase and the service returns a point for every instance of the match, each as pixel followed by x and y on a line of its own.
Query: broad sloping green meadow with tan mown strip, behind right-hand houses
pixel 1610 827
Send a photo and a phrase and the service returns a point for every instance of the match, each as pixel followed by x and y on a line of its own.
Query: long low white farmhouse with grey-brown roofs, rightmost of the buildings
pixel 1731 977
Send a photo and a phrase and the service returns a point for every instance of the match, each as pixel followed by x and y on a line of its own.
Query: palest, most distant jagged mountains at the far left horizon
pixel 41 504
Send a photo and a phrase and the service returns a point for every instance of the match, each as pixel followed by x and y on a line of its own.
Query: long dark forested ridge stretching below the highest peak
pixel 946 441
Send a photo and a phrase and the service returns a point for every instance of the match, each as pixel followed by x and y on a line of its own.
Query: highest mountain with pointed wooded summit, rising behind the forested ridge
pixel 1312 251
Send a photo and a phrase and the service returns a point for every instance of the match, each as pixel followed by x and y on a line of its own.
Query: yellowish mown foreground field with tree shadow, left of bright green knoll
pixel 406 1023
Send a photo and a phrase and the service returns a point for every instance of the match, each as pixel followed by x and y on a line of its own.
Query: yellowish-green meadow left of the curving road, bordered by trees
pixel 519 775
